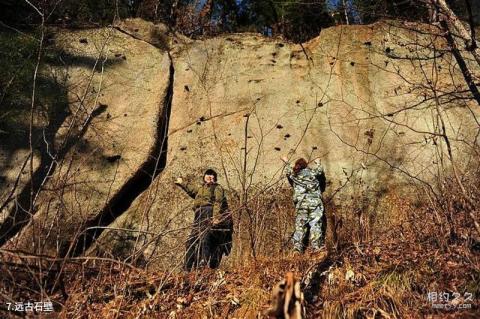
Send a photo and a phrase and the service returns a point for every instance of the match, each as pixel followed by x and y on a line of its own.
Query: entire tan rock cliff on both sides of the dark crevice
pixel 358 97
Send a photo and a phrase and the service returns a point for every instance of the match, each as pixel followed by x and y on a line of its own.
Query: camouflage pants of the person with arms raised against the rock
pixel 308 221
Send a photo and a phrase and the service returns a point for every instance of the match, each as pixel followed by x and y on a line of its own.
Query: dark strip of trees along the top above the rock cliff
pixel 296 20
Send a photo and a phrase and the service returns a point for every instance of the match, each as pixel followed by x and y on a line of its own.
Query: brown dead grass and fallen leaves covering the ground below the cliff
pixel 387 274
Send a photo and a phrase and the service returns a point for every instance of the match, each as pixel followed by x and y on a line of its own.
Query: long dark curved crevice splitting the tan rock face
pixel 141 180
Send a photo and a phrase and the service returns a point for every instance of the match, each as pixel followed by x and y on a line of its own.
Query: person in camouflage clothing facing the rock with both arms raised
pixel 307 197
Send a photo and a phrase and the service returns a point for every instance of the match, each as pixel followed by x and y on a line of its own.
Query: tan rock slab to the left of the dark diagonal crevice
pixel 116 89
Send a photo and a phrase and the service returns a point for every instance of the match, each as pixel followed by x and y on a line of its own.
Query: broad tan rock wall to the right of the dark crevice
pixel 359 97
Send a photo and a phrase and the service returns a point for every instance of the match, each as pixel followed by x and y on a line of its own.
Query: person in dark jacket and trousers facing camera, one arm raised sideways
pixel 211 235
